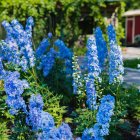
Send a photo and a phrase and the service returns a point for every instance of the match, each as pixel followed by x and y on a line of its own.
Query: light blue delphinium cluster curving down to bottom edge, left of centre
pixel 43 123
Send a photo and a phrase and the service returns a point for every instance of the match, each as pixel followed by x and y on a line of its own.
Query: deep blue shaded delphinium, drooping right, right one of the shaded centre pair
pixel 64 53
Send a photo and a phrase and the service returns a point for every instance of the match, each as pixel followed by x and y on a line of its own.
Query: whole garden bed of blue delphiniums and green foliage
pixel 46 95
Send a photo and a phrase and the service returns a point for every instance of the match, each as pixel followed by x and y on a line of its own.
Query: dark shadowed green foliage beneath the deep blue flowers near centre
pixel 59 82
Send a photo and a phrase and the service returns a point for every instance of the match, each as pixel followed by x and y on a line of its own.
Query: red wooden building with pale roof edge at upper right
pixel 132 25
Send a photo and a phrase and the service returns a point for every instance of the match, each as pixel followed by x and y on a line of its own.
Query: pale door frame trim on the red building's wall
pixel 133 27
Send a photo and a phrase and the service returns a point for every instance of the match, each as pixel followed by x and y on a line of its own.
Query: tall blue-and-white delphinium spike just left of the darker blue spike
pixel 93 73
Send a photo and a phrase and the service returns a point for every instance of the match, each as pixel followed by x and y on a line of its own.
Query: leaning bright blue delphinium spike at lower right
pixel 103 117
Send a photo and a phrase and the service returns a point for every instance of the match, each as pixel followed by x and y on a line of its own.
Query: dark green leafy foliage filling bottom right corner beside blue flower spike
pixel 126 112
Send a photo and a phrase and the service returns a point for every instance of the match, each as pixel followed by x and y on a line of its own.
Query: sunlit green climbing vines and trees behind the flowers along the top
pixel 64 18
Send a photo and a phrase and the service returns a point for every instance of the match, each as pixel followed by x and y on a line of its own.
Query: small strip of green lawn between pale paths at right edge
pixel 132 63
